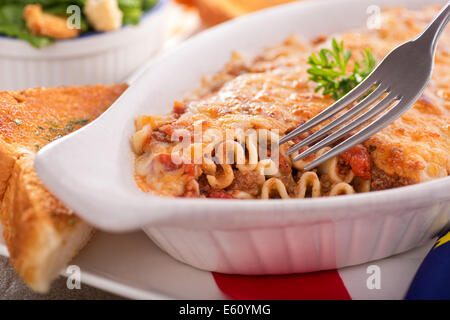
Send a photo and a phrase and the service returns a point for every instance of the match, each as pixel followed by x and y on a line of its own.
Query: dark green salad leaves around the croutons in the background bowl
pixel 13 23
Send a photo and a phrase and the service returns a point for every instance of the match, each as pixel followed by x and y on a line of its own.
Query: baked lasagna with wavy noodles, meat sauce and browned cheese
pixel 221 140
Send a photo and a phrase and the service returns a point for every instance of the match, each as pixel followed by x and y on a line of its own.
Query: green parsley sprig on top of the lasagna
pixel 329 69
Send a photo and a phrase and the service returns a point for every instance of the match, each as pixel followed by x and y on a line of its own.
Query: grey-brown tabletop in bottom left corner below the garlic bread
pixel 12 288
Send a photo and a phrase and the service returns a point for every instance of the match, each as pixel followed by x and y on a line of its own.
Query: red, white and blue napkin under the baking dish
pixel 422 273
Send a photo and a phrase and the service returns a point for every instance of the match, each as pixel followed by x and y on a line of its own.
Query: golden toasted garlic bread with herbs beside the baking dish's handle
pixel 42 235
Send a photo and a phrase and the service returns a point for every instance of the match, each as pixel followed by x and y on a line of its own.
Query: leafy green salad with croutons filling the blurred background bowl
pixel 40 22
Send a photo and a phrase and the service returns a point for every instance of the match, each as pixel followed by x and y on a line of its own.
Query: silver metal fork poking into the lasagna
pixel 401 78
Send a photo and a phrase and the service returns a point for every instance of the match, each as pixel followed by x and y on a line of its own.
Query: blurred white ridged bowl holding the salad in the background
pixel 107 57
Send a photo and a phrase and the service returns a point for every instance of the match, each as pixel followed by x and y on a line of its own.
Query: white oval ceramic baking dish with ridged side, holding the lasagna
pixel 91 171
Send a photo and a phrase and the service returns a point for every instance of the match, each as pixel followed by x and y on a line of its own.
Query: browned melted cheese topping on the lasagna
pixel 272 91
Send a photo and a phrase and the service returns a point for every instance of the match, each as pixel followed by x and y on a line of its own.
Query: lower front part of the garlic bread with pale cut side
pixel 42 235
